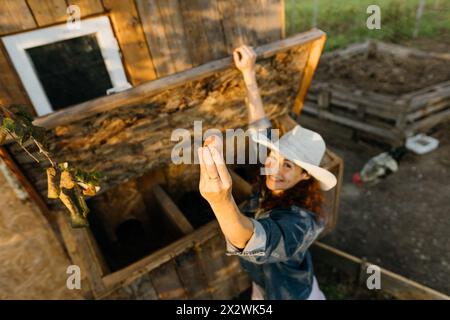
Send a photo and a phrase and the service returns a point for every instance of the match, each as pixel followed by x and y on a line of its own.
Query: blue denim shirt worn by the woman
pixel 276 257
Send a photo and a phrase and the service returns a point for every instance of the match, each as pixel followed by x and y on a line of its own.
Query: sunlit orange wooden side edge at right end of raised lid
pixel 308 73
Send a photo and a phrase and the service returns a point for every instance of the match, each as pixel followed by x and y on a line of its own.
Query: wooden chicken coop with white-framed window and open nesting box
pixel 109 95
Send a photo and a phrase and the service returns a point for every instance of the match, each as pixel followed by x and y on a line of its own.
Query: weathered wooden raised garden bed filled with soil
pixel 386 91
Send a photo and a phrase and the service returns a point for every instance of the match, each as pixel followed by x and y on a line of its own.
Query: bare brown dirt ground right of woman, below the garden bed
pixel 402 223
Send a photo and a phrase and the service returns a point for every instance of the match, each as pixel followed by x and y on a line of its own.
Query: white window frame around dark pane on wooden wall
pixel 100 26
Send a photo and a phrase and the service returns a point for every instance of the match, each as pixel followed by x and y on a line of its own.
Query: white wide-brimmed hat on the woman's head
pixel 303 147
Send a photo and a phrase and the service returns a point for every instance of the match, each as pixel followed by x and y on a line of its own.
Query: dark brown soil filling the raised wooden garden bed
pixel 385 73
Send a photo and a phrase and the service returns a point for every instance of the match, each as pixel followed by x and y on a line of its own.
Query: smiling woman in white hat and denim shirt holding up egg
pixel 273 232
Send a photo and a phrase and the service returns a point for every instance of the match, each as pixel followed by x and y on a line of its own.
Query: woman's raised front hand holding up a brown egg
pixel 215 180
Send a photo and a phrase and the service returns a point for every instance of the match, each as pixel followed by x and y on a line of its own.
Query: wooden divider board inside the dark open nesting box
pixel 172 211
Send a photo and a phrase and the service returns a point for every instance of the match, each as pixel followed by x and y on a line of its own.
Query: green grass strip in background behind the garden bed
pixel 344 21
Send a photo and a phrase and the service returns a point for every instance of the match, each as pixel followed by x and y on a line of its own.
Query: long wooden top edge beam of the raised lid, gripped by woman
pixel 145 90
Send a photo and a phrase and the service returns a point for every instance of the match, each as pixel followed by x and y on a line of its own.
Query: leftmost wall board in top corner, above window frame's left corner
pixel 15 16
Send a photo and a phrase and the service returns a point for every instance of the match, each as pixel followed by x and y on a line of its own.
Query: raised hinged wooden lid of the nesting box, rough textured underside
pixel 127 134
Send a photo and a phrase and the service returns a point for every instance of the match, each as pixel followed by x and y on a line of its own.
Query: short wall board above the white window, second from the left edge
pixel 48 11
